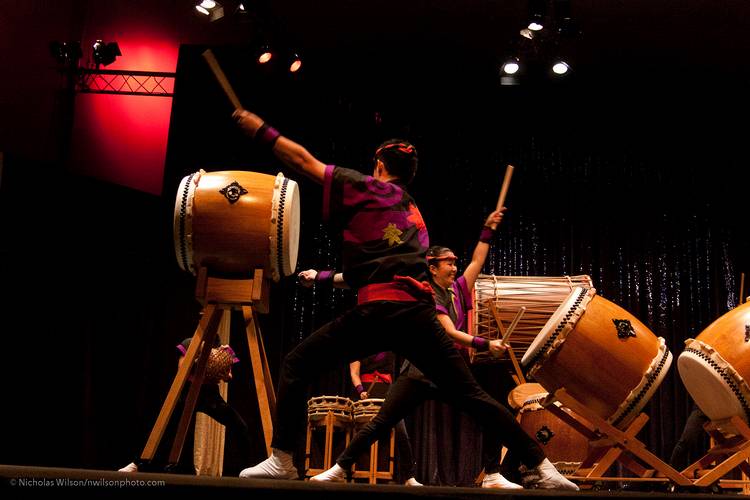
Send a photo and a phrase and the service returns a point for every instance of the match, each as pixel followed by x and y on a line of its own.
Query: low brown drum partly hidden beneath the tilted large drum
pixel 565 447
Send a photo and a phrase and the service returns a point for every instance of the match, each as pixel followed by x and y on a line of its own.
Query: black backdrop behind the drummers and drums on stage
pixel 636 178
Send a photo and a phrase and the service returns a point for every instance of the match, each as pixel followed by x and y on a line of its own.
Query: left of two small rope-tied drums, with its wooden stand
pixel 329 413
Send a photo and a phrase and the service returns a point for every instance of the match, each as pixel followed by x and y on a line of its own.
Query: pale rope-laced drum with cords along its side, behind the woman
pixel 540 295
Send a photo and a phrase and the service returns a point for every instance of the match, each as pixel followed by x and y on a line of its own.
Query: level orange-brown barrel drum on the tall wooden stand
pixel 234 222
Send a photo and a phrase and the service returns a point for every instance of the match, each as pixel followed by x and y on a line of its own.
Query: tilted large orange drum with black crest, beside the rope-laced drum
pixel 601 354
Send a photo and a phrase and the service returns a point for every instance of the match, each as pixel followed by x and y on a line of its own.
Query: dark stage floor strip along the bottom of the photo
pixel 16 479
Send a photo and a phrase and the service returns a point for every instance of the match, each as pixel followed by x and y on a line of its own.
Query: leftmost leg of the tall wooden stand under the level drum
pixel 206 328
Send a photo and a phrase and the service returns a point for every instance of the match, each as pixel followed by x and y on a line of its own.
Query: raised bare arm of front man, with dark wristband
pixel 294 155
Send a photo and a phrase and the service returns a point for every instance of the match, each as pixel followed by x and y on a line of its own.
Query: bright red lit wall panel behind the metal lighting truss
pixel 123 138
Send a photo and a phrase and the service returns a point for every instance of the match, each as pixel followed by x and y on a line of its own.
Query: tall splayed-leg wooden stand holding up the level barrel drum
pixel 219 297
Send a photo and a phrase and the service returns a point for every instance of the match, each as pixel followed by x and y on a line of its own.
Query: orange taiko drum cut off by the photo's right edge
pixel 715 366
